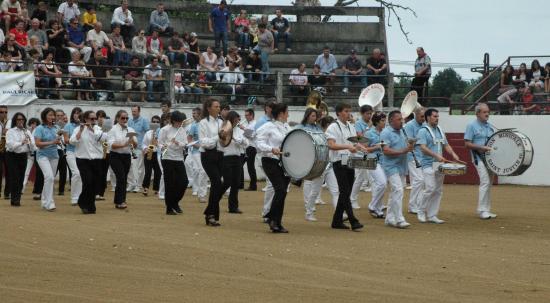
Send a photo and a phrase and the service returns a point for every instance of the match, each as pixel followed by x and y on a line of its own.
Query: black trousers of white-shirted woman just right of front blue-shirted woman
pixel 90 170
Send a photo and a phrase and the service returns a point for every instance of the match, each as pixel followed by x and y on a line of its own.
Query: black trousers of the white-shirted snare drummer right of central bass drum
pixel 345 177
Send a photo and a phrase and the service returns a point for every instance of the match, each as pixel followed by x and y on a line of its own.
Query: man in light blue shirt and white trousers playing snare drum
pixel 432 142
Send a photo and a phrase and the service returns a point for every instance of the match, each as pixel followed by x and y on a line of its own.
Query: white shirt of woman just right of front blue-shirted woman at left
pixel 89 145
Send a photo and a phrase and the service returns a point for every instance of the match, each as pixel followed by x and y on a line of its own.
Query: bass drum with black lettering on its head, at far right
pixel 511 153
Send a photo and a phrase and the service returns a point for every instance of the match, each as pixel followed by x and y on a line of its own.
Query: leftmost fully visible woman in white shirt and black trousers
pixel 19 146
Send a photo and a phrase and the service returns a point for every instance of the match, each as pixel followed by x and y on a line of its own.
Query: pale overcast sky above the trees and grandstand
pixel 462 31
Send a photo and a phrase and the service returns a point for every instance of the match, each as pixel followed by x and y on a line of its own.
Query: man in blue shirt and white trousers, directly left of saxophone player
pixel 141 126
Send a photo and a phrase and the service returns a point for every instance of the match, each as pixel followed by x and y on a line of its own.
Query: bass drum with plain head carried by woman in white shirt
pixel 305 154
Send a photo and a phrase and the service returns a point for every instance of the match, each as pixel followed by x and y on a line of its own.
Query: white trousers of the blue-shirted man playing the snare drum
pixel 433 182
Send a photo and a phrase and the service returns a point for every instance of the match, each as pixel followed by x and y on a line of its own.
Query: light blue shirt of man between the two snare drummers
pixel 395 139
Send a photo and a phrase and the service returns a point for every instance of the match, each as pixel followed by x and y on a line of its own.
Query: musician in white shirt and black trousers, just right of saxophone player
pixel 172 142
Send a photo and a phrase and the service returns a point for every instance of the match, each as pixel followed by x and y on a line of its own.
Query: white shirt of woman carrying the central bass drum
pixel 271 135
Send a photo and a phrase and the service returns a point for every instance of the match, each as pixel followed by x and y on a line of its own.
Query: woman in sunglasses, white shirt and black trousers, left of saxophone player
pixel 120 157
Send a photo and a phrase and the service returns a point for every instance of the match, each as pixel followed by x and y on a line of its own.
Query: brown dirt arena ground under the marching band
pixel 142 255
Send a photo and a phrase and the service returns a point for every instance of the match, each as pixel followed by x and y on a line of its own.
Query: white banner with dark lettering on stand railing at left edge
pixel 17 88
